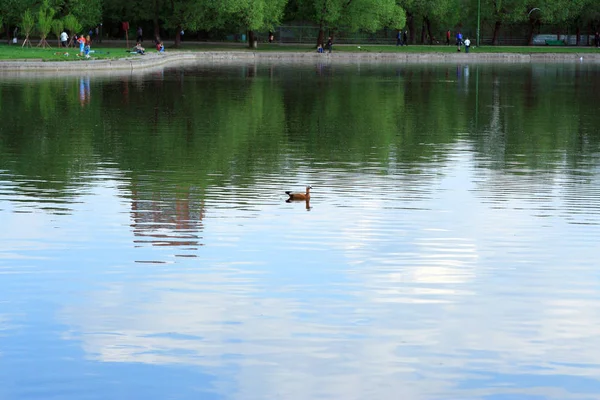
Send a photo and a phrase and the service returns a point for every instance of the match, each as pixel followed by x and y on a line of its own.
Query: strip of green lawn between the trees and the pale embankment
pixel 116 49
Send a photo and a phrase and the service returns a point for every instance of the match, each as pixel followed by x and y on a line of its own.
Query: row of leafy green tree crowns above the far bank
pixel 424 18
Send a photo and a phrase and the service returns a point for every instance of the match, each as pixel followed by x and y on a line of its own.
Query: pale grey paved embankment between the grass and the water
pixel 156 60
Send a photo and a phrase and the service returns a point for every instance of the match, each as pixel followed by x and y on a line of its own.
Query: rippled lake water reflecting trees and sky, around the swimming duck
pixel 449 249
